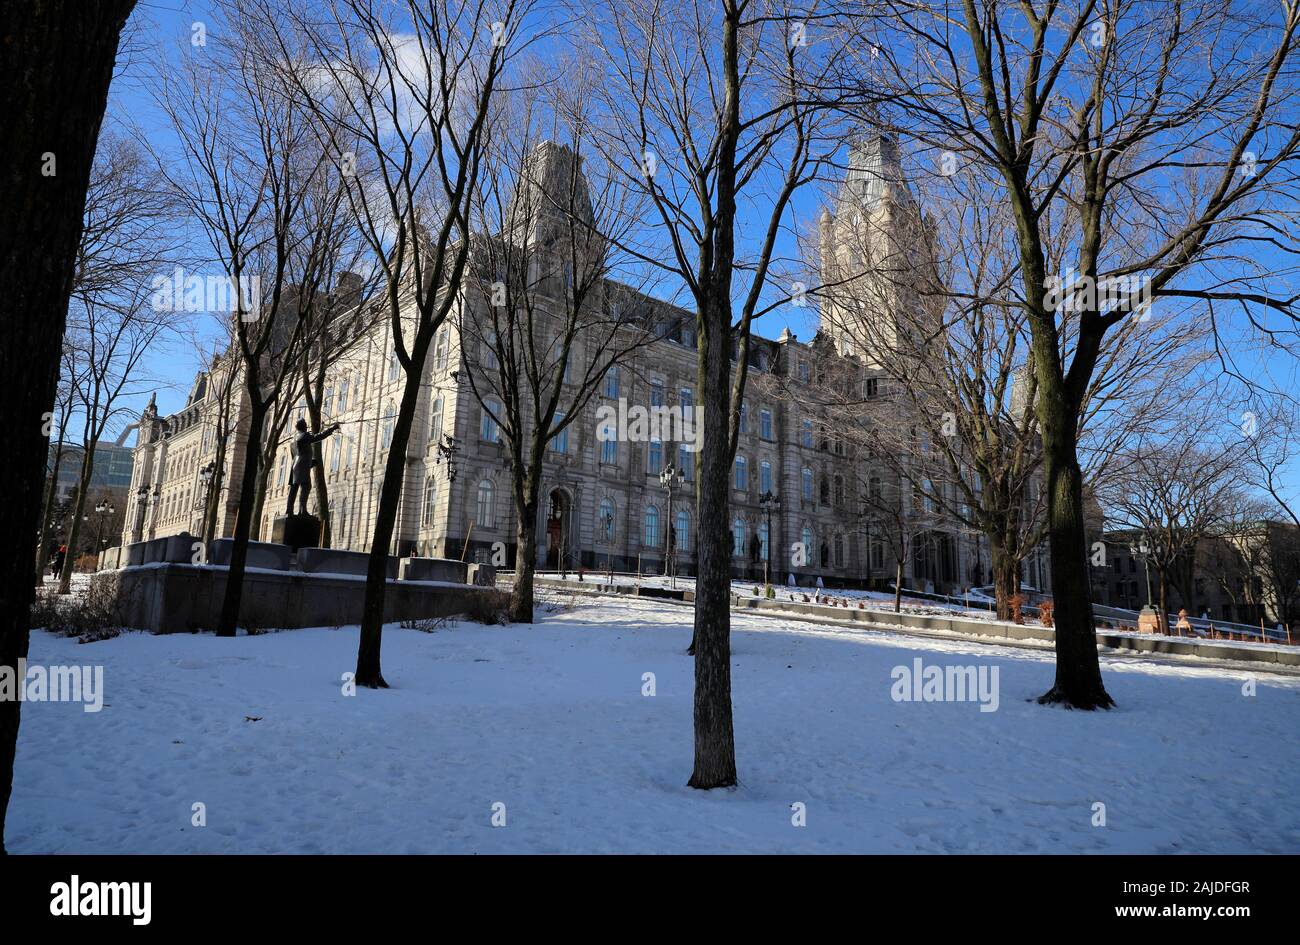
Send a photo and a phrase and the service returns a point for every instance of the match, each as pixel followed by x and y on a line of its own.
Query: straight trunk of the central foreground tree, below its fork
pixel 716 743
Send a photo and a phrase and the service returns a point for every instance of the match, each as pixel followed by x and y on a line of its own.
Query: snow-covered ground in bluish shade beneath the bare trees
pixel 551 721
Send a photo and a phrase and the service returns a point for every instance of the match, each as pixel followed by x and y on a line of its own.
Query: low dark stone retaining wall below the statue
pixel 180 599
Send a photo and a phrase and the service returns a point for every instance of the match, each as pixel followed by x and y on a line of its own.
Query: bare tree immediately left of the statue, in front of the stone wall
pixel 250 164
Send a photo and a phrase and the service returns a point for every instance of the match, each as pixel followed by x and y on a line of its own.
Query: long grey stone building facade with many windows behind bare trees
pixel 604 505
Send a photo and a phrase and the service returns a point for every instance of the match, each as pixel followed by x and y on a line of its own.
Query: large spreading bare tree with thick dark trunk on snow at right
pixel 1155 141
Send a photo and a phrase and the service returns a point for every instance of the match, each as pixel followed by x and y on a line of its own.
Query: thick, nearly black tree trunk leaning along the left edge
pixel 57 63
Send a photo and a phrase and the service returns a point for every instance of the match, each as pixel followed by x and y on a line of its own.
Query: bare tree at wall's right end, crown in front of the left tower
pixel 544 322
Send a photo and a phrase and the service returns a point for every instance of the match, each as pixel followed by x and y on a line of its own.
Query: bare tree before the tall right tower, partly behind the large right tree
pixel 921 288
